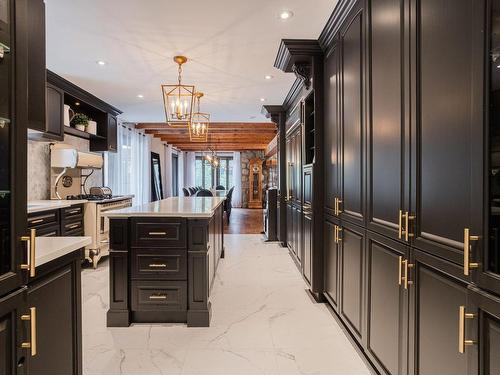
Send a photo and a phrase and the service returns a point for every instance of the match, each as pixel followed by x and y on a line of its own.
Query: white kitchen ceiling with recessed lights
pixel 231 45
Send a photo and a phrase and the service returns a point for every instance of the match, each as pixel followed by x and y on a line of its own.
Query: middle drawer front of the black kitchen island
pixel 166 264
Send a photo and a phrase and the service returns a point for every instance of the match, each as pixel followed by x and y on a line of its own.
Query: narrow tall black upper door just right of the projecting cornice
pixel 331 130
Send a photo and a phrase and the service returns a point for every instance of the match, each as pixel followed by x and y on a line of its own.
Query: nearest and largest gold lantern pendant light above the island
pixel 178 99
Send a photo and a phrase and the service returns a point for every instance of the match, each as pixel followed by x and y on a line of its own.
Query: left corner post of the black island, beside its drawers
pixel 119 305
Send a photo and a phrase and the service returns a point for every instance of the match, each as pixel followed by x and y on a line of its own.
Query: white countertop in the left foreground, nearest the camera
pixel 50 248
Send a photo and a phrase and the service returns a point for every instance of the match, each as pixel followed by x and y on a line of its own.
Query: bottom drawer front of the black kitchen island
pixel 159 295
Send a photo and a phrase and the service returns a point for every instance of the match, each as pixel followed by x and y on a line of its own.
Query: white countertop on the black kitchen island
pixel 198 207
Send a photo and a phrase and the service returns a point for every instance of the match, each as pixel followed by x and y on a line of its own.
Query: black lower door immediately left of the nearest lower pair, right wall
pixel 352 277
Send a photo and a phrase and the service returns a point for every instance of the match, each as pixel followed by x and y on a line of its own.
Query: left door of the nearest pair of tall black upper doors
pixel 388 133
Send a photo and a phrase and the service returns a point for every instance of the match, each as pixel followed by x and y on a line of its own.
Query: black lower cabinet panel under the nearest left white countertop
pixel 56 324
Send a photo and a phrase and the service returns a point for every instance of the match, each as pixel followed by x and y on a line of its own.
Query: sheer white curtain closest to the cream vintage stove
pixel 128 170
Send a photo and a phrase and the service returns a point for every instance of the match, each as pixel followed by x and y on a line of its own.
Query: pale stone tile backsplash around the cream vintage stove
pixel 39 167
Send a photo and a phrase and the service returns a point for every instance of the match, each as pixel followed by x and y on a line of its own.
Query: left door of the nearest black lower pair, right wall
pixel 387 301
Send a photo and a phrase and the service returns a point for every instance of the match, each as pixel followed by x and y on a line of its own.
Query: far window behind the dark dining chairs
pixel 208 177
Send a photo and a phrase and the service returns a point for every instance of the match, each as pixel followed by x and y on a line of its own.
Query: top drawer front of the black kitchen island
pixel 159 232
